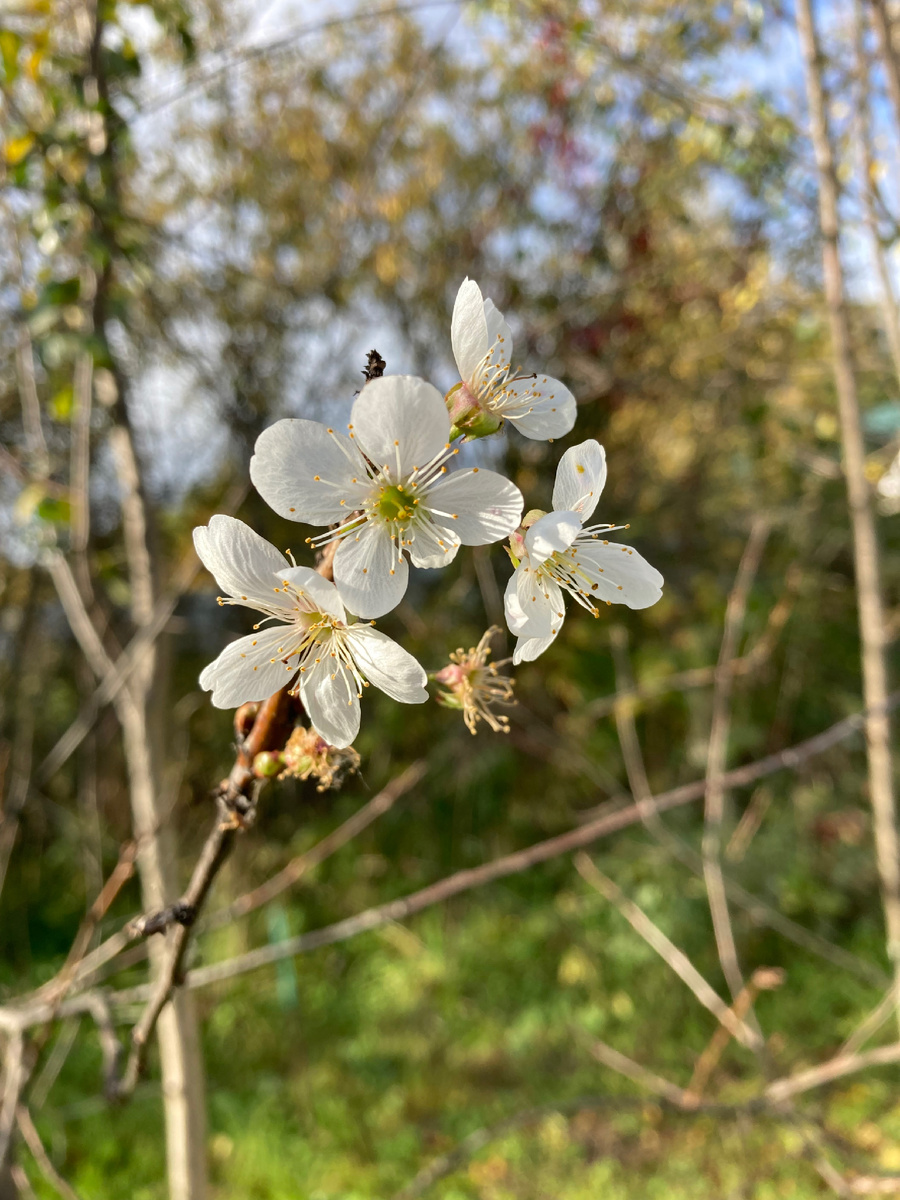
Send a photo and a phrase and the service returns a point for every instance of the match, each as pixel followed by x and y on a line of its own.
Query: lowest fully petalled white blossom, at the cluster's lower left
pixel 314 643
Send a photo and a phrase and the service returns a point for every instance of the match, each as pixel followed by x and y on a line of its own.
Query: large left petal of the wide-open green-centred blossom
pixel 304 472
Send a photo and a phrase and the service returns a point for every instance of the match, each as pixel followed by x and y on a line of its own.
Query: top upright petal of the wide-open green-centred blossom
pixel 400 423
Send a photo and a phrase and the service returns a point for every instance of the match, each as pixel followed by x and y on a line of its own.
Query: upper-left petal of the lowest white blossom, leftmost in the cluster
pixel 242 562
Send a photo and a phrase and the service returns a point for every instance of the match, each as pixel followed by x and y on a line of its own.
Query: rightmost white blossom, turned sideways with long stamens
pixel 559 554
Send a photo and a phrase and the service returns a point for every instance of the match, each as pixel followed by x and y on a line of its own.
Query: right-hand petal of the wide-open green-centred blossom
pixel 478 506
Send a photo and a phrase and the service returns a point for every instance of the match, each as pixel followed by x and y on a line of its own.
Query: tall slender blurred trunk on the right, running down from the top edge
pixel 866 545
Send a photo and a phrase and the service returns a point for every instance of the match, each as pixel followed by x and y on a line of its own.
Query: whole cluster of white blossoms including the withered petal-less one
pixel 388 494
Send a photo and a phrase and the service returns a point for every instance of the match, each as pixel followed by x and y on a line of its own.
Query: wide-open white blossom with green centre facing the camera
pixel 389 487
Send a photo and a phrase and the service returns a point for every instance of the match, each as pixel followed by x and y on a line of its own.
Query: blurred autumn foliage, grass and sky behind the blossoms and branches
pixel 212 212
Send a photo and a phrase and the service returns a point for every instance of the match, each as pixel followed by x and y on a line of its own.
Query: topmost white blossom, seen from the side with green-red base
pixel 493 391
